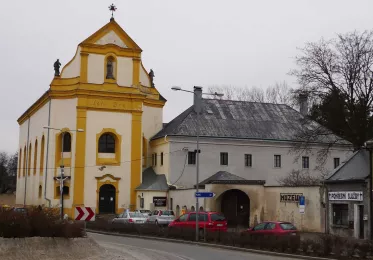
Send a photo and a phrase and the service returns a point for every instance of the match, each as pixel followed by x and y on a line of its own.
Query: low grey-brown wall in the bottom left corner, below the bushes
pixel 39 248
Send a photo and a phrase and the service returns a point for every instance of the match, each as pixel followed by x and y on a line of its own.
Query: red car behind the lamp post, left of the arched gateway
pixel 212 221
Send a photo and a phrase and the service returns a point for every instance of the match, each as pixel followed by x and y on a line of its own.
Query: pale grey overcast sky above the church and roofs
pixel 186 43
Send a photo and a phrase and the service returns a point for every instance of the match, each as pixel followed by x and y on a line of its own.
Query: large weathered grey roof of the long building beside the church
pixel 241 120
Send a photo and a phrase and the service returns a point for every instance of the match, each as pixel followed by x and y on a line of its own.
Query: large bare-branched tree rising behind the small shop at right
pixel 337 75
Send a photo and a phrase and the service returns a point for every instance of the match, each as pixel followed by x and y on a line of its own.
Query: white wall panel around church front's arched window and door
pixel 122 123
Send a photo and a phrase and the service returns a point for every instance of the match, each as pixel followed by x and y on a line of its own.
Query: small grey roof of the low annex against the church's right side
pixel 153 181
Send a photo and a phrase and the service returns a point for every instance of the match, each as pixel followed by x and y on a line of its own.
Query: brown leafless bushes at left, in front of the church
pixel 37 222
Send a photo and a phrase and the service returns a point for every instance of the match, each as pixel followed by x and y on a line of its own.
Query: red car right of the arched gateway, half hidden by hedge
pixel 277 228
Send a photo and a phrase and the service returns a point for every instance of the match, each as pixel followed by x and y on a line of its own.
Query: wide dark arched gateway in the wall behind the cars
pixel 235 205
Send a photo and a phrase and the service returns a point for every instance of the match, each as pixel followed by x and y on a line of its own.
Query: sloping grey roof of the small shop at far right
pixel 356 168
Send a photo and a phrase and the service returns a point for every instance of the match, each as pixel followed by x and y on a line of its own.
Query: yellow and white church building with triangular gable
pixel 122 111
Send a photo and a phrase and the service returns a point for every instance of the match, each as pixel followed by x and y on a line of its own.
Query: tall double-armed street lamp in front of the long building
pixel 197 108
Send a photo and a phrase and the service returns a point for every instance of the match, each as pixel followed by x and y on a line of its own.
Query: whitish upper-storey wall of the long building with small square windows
pixel 262 160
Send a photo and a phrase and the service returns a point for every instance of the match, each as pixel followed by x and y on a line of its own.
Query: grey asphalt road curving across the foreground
pixel 145 249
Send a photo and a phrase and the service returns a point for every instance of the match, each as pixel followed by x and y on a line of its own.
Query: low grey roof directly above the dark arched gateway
pixel 223 177
